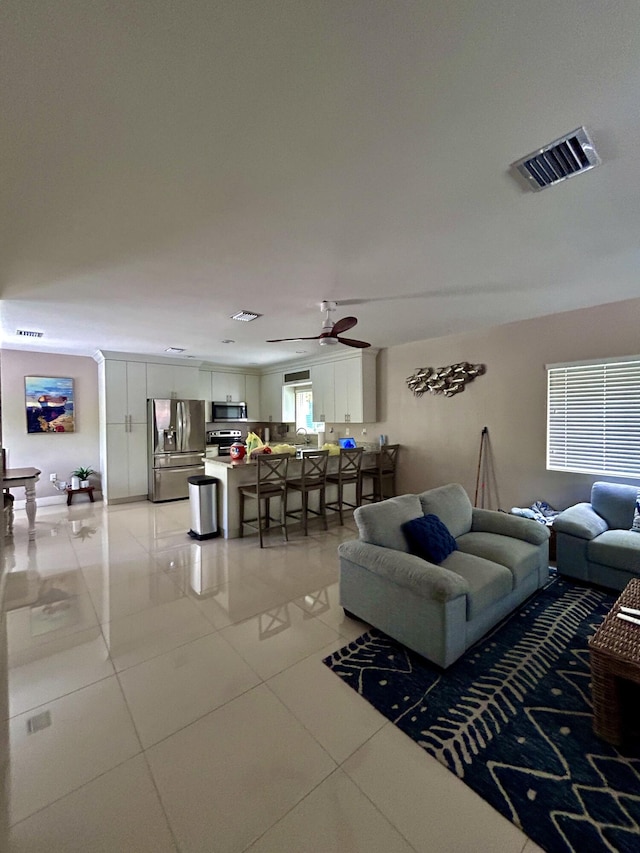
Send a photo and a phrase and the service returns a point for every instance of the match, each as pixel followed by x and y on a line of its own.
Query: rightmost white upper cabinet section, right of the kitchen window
pixel 355 389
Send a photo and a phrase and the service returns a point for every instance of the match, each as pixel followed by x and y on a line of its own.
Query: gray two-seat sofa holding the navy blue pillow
pixel 440 610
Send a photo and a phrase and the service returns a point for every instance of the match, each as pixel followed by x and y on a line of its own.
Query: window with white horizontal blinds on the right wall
pixel 593 418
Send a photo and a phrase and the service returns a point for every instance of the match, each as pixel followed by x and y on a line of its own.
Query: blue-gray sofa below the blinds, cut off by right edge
pixel 594 541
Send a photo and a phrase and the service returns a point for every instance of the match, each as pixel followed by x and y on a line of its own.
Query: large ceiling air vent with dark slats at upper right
pixel 562 159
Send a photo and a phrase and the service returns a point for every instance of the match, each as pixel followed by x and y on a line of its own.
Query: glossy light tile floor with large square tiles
pixel 184 705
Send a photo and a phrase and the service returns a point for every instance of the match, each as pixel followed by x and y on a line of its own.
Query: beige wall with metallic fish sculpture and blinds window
pixel 441 436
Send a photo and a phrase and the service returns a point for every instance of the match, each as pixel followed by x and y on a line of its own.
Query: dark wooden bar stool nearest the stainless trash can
pixel 271 482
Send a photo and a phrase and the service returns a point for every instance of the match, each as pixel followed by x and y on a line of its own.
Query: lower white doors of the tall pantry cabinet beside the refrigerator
pixel 125 471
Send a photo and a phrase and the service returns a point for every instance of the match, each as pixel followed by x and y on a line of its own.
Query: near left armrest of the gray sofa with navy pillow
pixel 407 570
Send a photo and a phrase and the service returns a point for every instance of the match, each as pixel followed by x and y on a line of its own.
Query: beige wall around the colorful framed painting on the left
pixel 59 453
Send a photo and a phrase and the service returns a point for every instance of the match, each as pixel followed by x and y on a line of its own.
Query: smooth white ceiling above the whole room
pixel 169 162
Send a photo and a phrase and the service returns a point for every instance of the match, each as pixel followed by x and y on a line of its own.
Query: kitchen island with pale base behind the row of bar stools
pixel 231 474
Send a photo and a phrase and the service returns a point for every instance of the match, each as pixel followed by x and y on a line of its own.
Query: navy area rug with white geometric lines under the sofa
pixel 512 718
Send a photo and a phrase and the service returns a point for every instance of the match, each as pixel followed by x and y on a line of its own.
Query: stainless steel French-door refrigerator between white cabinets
pixel 176 447
